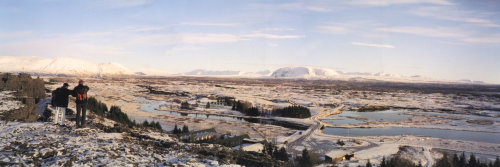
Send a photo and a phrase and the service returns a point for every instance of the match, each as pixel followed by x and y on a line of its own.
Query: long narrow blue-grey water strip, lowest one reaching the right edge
pixel 438 133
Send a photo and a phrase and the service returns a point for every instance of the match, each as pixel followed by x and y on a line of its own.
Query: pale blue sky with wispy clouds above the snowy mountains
pixel 442 39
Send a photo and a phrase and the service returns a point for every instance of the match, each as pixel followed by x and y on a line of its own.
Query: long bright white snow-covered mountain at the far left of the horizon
pixel 60 66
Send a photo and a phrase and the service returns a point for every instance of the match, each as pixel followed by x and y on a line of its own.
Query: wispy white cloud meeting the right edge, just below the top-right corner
pixel 444 13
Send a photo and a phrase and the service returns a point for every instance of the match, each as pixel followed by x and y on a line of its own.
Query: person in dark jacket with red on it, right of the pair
pixel 80 92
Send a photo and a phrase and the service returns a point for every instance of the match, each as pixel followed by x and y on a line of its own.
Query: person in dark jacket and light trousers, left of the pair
pixel 60 101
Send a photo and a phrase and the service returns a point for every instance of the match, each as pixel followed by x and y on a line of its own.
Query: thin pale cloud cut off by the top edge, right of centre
pixel 397 2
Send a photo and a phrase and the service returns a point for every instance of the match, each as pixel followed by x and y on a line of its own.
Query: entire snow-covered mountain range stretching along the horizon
pixel 67 66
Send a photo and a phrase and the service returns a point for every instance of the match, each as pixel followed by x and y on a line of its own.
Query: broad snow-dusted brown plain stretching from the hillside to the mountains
pixel 451 108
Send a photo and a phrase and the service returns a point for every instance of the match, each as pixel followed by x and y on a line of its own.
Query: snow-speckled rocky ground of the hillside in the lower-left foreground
pixel 34 144
